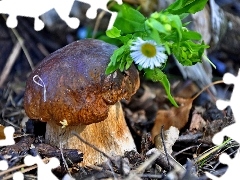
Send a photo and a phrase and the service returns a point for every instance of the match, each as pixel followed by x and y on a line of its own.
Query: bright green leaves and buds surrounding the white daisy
pixel 166 29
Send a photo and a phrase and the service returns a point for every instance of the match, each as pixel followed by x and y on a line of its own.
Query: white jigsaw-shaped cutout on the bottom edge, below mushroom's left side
pixel 44 170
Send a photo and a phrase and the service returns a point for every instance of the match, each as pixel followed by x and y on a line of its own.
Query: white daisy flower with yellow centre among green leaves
pixel 147 53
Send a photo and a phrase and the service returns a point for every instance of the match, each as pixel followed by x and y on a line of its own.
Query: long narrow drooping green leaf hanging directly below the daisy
pixel 156 75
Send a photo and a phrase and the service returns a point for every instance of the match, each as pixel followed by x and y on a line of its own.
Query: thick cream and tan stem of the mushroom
pixel 111 136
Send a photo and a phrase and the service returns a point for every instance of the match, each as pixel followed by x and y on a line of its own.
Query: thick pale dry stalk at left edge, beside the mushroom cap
pixel 11 59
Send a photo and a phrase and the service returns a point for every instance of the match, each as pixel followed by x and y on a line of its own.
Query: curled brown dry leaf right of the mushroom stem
pixel 177 117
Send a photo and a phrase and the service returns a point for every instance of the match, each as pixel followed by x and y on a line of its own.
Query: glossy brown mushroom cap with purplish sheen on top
pixel 71 84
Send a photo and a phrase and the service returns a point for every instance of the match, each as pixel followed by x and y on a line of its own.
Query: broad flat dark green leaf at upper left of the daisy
pixel 129 20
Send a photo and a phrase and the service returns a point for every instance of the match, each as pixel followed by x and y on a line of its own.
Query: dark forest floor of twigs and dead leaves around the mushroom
pixel 200 117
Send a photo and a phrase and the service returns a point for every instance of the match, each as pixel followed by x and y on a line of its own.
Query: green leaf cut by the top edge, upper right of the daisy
pixel 186 6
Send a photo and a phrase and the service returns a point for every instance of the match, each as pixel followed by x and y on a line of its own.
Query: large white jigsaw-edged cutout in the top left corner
pixel 36 8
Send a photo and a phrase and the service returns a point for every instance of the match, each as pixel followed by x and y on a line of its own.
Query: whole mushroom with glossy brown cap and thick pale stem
pixel 71 92
